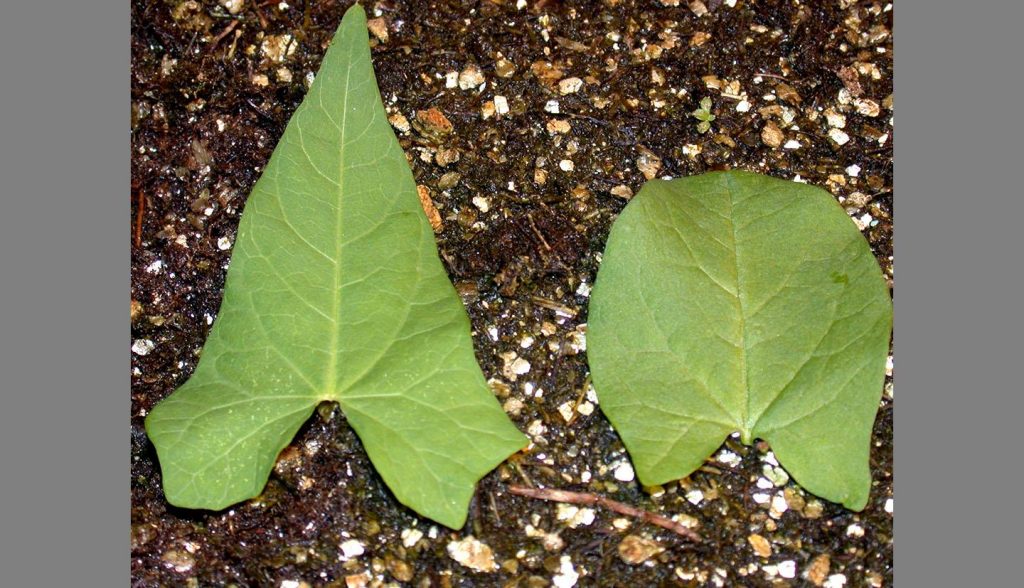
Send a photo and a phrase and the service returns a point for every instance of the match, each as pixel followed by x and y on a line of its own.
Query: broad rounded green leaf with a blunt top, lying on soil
pixel 734 302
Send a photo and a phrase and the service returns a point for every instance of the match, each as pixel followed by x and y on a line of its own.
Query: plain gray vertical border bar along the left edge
pixel 65 365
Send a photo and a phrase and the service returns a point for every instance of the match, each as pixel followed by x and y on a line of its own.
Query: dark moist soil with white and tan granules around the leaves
pixel 527 185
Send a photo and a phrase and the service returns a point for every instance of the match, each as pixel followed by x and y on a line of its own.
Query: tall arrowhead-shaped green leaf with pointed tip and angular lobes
pixel 336 292
